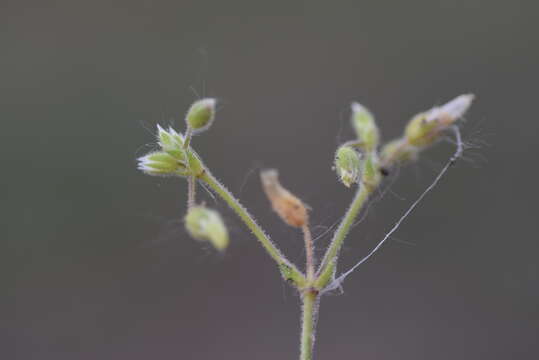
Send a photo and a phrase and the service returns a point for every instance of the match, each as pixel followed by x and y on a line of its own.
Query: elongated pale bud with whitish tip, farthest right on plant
pixel 426 127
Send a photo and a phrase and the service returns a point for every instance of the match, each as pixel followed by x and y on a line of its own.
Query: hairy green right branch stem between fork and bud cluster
pixel 327 267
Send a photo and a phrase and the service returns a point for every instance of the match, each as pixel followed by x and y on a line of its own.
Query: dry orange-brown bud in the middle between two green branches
pixel 291 209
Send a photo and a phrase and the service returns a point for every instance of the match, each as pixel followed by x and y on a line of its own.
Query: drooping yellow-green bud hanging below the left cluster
pixel 207 225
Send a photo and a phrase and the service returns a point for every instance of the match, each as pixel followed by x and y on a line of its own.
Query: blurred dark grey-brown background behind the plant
pixel 96 263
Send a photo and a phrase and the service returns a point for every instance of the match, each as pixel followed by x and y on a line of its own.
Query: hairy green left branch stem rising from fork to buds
pixel 292 272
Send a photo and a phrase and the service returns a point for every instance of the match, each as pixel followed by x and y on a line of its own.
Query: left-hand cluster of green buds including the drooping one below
pixel 176 158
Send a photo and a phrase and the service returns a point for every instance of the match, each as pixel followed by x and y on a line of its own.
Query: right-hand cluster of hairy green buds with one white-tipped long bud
pixel 358 161
